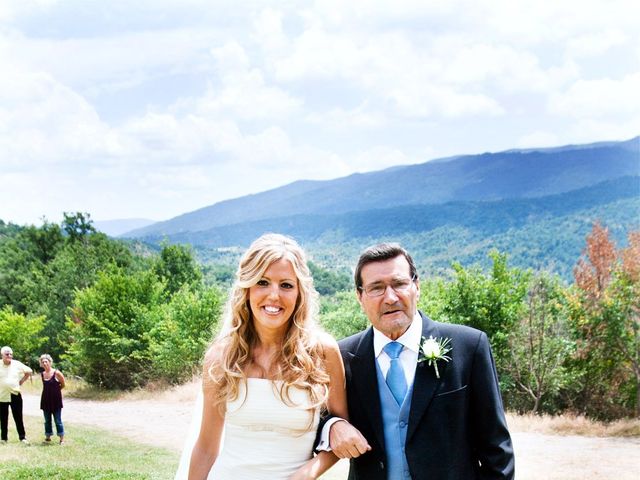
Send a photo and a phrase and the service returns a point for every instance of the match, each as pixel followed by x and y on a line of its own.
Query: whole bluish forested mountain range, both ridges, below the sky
pixel 539 203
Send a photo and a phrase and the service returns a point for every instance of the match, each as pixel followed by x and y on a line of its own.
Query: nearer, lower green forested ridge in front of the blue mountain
pixel 542 233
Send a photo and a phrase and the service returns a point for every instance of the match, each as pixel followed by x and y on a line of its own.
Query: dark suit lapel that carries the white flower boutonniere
pixel 425 382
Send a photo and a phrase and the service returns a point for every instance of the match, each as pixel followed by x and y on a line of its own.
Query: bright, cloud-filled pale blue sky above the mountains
pixel 152 108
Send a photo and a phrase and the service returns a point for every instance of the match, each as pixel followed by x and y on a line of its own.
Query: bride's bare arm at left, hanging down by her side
pixel 207 446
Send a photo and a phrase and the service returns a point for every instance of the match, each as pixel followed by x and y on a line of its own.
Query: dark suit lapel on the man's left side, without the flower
pixel 365 380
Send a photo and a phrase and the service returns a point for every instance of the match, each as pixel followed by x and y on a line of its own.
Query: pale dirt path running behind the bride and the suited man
pixel 164 421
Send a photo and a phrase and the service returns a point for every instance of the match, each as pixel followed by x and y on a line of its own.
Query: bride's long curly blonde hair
pixel 300 361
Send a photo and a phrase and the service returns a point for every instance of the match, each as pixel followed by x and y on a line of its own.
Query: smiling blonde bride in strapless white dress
pixel 268 374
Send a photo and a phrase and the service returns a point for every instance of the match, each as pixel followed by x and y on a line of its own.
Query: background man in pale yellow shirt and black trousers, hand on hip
pixel 12 375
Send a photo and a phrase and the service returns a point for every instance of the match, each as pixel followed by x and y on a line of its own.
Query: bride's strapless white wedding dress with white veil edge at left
pixel 263 439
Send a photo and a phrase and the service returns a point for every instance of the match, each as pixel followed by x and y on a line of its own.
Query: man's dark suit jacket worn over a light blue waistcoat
pixel 457 429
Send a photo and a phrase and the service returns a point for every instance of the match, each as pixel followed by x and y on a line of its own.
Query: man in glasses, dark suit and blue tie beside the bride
pixel 421 423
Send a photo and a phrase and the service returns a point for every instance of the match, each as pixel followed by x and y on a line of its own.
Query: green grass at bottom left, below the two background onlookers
pixel 88 454
